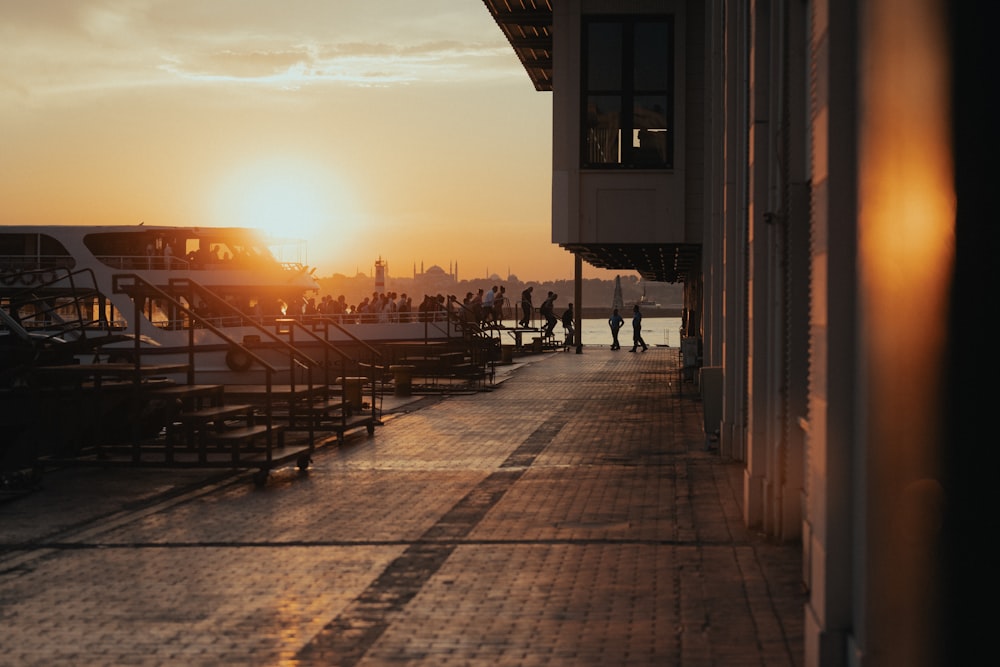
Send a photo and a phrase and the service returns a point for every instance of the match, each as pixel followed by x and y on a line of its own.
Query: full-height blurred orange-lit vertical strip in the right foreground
pixel 906 254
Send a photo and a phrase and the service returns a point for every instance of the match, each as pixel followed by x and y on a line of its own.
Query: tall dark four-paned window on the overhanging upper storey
pixel 627 89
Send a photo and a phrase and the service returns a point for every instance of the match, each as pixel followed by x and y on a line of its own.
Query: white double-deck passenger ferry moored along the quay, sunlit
pixel 112 292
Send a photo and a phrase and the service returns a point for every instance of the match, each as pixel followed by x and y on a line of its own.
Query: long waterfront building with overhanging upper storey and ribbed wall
pixel 795 165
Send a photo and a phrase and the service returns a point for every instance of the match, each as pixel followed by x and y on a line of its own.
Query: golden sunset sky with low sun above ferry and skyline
pixel 406 130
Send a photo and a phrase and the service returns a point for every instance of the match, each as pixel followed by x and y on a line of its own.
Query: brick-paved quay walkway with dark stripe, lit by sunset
pixel 569 517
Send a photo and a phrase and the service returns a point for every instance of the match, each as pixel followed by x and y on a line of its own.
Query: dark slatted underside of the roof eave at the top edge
pixel 527 24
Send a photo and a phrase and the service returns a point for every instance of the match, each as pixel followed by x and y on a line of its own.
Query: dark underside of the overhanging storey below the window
pixel 668 263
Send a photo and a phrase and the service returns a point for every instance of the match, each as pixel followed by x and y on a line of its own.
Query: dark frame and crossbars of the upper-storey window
pixel 606 141
